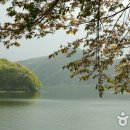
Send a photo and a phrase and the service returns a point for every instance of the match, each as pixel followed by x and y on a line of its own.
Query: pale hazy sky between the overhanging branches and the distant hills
pixel 35 47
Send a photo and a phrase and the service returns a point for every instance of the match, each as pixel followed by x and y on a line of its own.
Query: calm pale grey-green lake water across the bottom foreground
pixel 48 114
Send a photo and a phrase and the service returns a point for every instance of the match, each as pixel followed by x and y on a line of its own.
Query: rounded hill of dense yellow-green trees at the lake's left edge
pixel 14 77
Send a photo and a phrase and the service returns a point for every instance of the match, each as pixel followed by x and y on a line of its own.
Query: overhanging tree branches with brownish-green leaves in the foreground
pixel 106 23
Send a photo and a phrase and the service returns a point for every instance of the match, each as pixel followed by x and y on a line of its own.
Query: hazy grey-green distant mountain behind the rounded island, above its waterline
pixel 51 73
